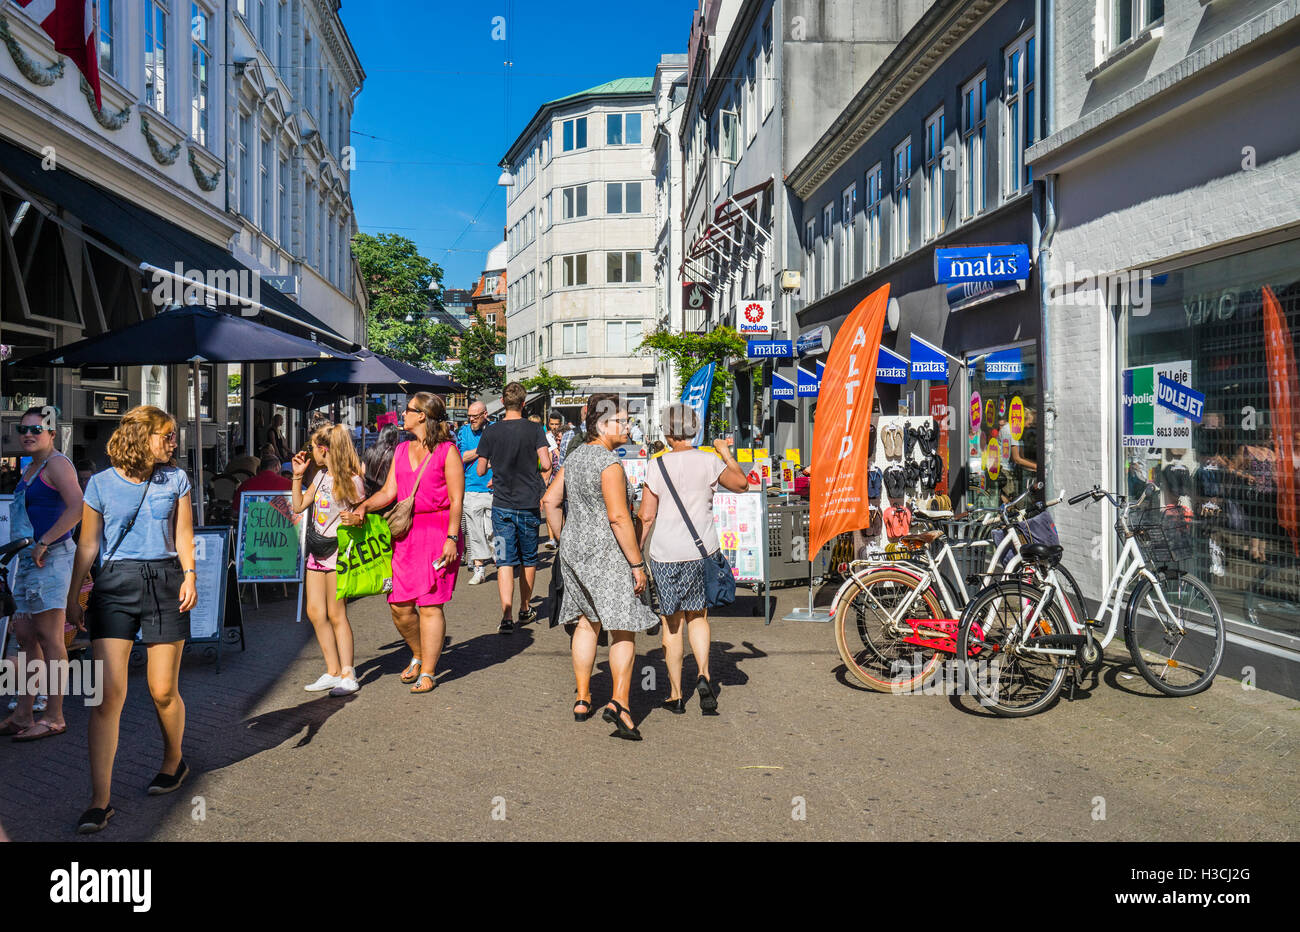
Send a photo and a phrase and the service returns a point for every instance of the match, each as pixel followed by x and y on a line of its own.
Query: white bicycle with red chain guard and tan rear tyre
pixel 895 619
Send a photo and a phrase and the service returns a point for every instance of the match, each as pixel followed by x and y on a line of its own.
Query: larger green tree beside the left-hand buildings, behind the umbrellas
pixel 397 284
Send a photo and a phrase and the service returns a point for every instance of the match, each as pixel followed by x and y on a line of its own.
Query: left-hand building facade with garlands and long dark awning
pixel 110 209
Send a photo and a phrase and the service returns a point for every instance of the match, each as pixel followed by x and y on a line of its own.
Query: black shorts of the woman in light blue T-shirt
pixel 138 597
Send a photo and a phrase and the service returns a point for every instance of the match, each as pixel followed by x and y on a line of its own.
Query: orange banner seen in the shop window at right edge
pixel 1284 401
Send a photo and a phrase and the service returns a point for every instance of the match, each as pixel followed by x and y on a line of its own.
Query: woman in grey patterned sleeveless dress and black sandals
pixel 600 561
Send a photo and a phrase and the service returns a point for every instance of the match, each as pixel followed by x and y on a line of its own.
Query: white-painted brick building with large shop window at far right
pixel 1175 252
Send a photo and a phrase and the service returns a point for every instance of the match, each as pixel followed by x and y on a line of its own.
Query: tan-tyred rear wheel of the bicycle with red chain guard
pixel 870 627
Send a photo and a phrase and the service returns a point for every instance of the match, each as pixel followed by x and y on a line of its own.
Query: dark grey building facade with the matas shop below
pixel 929 155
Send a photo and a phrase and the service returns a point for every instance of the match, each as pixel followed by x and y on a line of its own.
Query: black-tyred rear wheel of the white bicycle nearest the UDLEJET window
pixel 1008 677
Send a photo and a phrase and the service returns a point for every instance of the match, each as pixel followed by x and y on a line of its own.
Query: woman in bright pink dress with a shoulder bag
pixel 426 562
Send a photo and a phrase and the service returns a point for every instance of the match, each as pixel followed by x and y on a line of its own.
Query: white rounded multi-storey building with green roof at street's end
pixel 580 235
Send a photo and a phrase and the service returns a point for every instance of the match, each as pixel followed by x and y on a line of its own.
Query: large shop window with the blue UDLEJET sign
pixel 1228 331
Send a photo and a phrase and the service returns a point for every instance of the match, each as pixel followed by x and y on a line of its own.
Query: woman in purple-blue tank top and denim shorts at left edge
pixel 46 508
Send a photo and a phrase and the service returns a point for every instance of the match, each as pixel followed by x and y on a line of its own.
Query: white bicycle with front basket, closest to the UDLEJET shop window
pixel 1020 641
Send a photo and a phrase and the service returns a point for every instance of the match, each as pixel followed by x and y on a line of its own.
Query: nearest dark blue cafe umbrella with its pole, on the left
pixel 190 335
